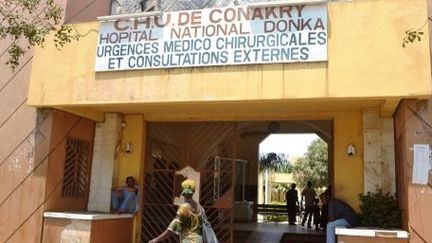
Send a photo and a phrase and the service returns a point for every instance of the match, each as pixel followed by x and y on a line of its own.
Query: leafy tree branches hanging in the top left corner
pixel 26 23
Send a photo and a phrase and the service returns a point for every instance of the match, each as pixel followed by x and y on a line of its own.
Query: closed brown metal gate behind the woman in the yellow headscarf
pixel 204 146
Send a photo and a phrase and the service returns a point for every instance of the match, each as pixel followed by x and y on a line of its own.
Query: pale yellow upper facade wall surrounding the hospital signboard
pixel 365 60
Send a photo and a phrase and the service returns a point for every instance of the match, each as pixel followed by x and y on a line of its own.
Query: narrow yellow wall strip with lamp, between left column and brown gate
pixel 130 163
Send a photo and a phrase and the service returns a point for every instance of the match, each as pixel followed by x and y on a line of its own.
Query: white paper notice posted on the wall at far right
pixel 421 164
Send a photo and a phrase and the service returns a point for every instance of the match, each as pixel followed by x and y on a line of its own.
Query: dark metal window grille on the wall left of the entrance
pixel 76 170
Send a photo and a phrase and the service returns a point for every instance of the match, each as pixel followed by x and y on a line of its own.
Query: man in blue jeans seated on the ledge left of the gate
pixel 125 199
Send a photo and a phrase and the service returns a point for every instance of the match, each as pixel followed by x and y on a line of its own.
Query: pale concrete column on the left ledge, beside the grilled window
pixel 104 163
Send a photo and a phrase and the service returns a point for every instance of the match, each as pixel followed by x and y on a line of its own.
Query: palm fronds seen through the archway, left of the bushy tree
pixel 275 162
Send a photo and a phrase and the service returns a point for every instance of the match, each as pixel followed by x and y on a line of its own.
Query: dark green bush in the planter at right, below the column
pixel 379 209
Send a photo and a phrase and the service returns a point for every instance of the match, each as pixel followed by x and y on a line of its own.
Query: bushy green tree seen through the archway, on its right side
pixel 313 166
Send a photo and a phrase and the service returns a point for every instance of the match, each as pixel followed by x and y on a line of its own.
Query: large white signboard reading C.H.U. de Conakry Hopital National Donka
pixel 214 37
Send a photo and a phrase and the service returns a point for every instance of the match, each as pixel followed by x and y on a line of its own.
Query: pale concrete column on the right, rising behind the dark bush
pixel 379 161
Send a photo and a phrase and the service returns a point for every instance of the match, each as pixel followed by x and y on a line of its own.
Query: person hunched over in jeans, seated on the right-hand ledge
pixel 339 214
